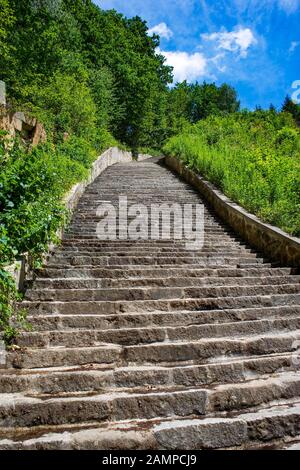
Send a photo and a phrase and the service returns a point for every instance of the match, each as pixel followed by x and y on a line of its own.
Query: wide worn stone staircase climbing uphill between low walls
pixel 145 345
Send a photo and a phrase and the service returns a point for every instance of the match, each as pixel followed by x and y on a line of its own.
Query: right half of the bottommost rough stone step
pixel 260 426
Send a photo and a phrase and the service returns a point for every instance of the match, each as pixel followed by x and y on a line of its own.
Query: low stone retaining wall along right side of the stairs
pixel 275 244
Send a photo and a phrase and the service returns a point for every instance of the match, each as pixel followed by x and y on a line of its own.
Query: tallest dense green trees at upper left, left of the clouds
pixel 112 55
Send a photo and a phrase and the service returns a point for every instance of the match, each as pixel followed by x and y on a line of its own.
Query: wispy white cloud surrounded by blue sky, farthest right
pixel 239 40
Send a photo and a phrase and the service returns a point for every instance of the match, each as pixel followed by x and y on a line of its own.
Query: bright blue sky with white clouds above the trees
pixel 252 44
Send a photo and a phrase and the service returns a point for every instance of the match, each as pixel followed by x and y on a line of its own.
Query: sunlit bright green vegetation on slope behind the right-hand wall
pixel 252 157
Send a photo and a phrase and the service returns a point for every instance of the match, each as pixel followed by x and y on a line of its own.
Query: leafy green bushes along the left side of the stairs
pixel 32 185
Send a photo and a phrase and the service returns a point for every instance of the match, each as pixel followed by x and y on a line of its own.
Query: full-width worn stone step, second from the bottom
pixel 21 410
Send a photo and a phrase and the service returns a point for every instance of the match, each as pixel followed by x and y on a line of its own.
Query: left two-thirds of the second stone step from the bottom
pixel 21 411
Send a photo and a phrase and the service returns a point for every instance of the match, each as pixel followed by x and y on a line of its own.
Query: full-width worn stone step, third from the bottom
pixel 97 377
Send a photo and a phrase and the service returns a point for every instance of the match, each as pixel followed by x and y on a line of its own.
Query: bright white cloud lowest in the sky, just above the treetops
pixel 186 66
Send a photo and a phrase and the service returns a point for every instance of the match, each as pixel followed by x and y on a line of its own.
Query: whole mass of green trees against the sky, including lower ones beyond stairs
pixel 81 69
